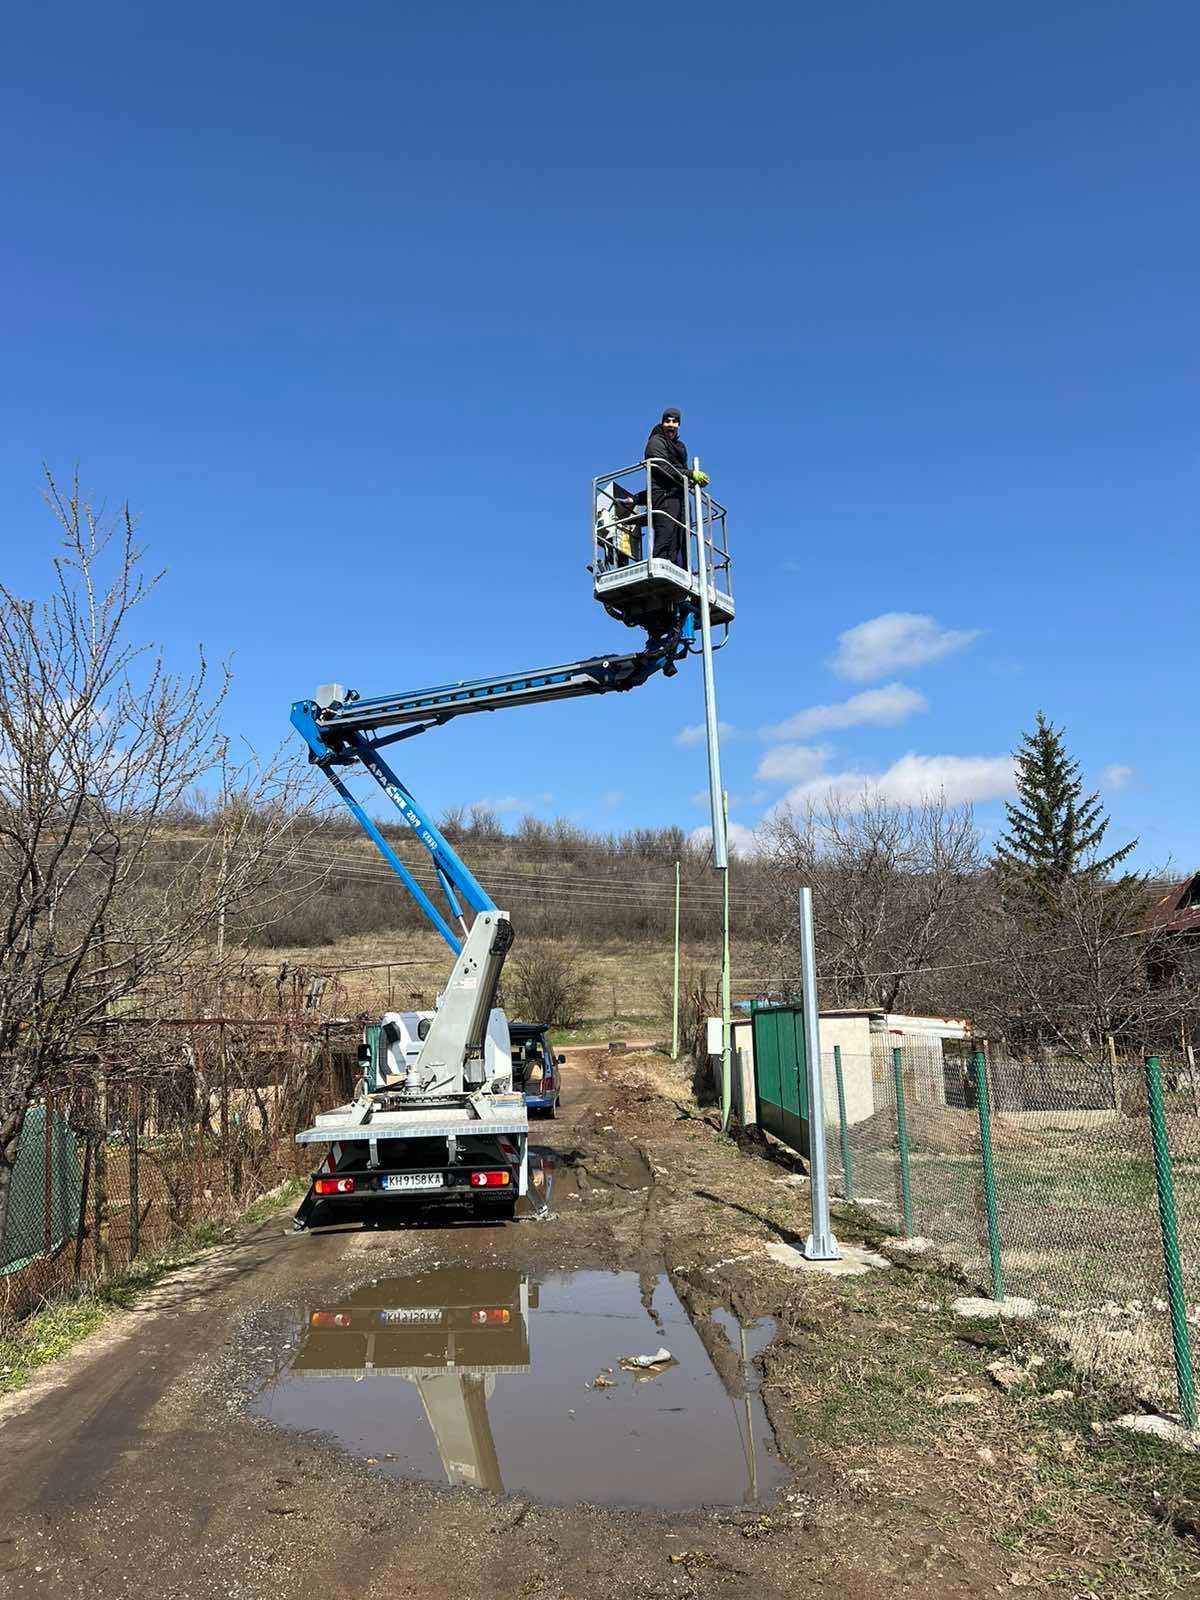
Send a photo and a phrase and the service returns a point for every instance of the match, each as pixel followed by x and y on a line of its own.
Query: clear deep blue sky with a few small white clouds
pixel 353 302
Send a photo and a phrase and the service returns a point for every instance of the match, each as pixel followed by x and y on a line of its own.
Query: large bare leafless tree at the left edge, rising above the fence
pixel 100 748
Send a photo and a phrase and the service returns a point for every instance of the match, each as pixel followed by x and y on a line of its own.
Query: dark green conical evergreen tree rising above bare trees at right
pixel 1055 833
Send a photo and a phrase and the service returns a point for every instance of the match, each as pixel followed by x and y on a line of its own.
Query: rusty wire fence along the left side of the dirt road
pixel 154 1129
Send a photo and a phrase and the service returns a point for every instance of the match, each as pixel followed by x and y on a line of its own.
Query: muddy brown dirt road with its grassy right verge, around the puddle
pixel 145 1466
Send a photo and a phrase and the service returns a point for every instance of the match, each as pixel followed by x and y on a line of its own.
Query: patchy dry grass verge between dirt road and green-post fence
pixel 862 1369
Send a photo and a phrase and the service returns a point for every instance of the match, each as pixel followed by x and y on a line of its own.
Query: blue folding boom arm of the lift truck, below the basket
pixel 346 730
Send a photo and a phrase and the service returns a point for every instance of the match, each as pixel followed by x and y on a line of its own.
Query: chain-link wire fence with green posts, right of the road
pixel 1041 1178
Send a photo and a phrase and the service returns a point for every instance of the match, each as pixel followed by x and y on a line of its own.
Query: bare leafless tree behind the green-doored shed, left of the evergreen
pixel 894 890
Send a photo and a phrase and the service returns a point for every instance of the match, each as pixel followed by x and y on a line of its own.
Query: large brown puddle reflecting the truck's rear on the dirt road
pixel 487 1378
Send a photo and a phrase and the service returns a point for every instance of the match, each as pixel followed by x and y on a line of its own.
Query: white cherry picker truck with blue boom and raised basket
pixel 438 1116
